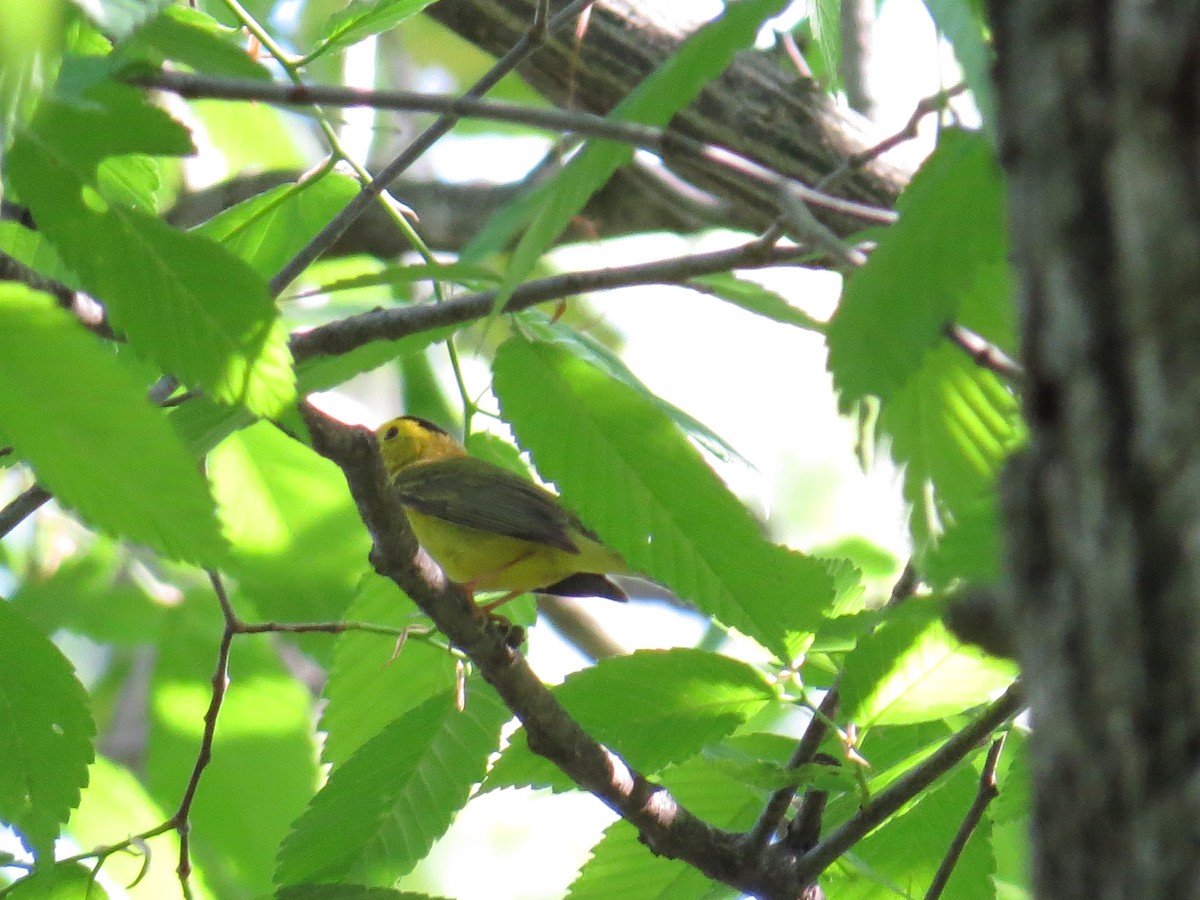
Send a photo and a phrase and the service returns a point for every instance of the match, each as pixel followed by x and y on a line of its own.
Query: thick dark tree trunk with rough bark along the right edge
pixel 1100 131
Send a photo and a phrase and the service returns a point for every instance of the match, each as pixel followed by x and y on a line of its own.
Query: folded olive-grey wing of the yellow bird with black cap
pixel 479 495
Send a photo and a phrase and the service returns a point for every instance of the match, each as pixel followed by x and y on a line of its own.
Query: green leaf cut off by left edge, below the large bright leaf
pixel 46 733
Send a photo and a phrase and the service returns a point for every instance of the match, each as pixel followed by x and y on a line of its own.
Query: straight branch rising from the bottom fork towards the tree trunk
pixel 913 783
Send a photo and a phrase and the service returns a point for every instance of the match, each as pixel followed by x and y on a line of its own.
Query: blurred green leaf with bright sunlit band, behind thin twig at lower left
pixel 263 769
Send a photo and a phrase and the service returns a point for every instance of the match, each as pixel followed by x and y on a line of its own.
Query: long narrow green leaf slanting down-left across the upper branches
pixel 664 93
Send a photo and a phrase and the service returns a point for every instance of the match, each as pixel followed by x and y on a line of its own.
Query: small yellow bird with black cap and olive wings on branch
pixel 488 529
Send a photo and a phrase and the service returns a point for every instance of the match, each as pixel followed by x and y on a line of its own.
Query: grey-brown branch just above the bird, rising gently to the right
pixel 345 335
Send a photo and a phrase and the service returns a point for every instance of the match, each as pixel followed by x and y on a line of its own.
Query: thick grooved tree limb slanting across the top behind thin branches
pixel 755 109
